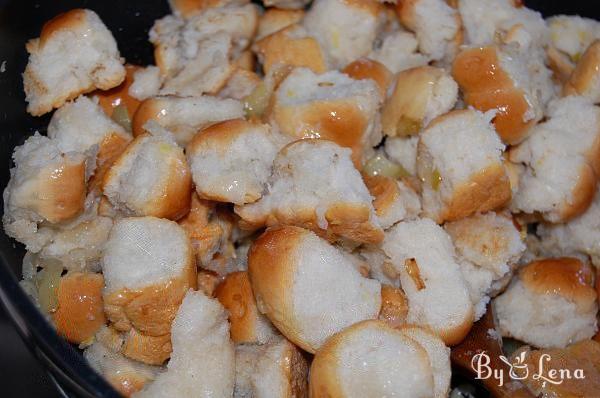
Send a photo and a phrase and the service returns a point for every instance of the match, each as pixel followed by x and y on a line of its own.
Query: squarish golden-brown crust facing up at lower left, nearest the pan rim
pixel 80 310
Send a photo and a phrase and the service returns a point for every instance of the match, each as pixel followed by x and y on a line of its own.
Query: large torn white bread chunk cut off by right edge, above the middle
pixel 561 161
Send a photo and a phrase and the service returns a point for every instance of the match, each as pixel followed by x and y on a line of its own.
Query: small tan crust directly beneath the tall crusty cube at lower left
pixel 151 350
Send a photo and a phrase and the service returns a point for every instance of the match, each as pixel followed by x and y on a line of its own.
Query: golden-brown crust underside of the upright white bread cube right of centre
pixel 486 190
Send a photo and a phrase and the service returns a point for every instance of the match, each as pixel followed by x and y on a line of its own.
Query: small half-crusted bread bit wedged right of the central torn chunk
pixel 395 200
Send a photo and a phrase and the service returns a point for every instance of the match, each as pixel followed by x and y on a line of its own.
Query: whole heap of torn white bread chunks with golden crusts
pixel 314 199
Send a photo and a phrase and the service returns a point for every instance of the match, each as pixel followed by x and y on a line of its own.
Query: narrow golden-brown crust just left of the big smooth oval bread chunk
pixel 235 293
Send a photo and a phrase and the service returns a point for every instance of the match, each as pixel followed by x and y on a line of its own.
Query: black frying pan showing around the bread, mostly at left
pixel 129 21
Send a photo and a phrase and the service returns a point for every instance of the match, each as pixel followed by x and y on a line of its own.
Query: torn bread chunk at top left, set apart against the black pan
pixel 74 54
